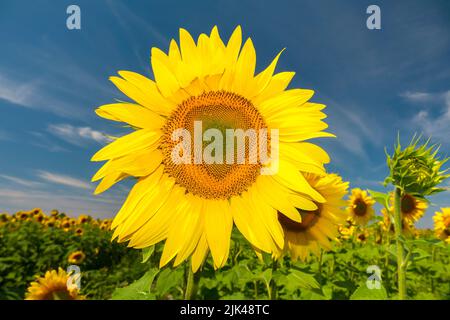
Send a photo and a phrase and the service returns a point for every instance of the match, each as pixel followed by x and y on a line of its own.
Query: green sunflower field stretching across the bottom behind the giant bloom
pixel 32 243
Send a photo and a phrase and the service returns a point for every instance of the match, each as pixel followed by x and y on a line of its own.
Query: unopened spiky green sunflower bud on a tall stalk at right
pixel 416 169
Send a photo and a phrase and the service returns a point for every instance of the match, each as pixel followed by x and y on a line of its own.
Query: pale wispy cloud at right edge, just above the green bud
pixel 434 124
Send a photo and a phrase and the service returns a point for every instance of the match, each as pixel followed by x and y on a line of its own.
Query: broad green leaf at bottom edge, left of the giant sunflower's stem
pixel 138 290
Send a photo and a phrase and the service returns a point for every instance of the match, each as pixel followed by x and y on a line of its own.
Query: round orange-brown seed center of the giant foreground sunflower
pixel 227 175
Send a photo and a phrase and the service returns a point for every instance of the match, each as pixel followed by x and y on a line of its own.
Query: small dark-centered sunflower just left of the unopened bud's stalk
pixel 360 207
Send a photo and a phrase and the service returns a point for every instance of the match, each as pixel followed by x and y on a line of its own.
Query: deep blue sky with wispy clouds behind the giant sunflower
pixel 374 82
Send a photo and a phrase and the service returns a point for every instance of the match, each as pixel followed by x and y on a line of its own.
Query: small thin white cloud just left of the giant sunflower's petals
pixel 77 135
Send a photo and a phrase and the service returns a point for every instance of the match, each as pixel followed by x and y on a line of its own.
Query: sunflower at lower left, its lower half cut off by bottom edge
pixel 53 286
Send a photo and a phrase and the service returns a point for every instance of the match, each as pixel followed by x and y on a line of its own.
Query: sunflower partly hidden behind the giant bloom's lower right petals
pixel 317 226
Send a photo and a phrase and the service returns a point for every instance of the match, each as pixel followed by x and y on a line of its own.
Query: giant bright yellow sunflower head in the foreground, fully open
pixel 192 204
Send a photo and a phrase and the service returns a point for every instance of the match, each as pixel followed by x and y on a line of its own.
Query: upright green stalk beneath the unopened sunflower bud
pixel 401 263
